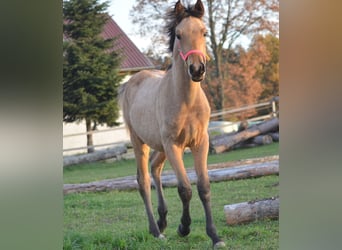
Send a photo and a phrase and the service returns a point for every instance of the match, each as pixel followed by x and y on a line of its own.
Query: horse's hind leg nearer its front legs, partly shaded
pixel 157 160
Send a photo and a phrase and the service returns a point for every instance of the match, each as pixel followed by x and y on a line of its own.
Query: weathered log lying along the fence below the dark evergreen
pixel 96 156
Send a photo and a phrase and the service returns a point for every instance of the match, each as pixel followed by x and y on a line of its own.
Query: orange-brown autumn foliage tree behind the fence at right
pixel 253 73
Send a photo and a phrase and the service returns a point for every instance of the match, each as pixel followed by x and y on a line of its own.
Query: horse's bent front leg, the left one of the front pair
pixel 174 155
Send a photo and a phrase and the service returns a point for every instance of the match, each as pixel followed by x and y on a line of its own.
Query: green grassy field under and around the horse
pixel 117 220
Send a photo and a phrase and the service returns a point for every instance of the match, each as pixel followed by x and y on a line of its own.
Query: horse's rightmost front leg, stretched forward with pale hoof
pixel 200 153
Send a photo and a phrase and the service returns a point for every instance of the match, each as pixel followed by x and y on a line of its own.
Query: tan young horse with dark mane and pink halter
pixel 168 111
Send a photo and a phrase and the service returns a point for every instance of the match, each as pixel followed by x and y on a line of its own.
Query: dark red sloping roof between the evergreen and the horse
pixel 132 58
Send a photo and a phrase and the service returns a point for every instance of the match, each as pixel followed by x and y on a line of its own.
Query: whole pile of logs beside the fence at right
pixel 261 134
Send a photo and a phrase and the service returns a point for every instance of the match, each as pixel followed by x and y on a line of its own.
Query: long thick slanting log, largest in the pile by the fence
pixel 223 143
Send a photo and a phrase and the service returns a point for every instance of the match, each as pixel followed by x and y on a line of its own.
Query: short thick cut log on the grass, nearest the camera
pixel 252 211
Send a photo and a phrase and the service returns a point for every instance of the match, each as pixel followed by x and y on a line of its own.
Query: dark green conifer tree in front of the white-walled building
pixel 90 67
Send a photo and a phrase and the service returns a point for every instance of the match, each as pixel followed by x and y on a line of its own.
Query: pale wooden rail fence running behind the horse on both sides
pixel 266 105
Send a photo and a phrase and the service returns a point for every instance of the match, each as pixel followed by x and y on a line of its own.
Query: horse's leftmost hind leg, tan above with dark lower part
pixel 141 152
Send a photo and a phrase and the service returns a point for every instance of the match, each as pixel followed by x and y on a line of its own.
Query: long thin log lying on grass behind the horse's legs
pixel 169 179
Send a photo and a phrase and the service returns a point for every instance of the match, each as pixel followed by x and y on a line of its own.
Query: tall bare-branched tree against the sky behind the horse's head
pixel 227 21
